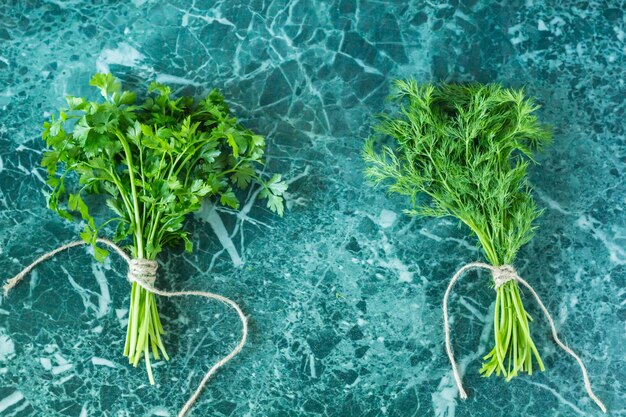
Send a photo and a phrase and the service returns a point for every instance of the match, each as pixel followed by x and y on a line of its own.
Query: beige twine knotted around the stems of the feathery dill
pixel 502 275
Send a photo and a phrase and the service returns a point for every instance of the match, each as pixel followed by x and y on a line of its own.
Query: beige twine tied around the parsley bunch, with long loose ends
pixel 143 272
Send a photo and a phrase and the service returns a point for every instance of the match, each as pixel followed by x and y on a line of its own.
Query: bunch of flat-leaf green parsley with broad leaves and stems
pixel 154 162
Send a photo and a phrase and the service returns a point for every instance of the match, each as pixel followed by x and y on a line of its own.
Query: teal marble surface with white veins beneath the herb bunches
pixel 344 293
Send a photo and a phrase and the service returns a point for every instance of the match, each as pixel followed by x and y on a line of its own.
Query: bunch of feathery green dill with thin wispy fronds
pixel 463 151
